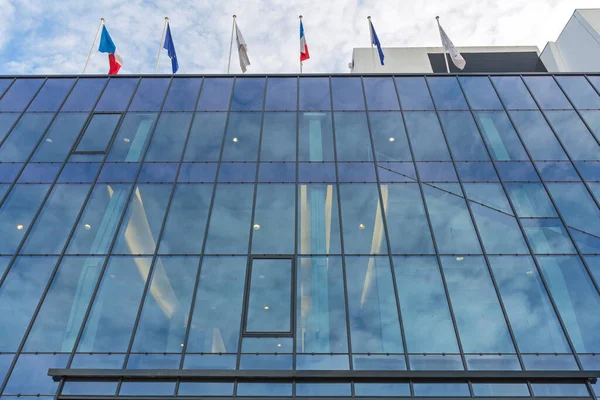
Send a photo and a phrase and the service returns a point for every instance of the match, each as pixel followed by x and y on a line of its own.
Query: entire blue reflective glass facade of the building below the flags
pixel 322 223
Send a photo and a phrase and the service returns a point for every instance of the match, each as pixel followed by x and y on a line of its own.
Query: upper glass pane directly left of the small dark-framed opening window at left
pixel 59 139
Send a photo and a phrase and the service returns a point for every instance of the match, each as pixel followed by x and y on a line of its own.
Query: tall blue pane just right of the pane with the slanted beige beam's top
pixel 186 223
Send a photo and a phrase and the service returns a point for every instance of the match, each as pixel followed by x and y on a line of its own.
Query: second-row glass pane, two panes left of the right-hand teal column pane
pixel 426 136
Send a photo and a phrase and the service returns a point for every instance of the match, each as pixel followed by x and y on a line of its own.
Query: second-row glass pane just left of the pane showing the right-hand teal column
pixel 463 136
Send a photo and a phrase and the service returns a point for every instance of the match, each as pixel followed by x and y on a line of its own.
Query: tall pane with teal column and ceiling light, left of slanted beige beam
pixel 100 219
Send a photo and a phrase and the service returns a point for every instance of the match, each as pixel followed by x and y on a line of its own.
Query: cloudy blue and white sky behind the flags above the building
pixel 55 36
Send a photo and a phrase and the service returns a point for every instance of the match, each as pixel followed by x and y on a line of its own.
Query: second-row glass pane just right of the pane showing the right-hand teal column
pixel 537 136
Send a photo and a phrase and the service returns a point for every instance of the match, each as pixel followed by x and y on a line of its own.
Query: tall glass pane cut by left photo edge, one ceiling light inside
pixel 17 213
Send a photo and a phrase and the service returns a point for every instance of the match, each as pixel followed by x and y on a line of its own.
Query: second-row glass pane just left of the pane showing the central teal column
pixel 278 137
